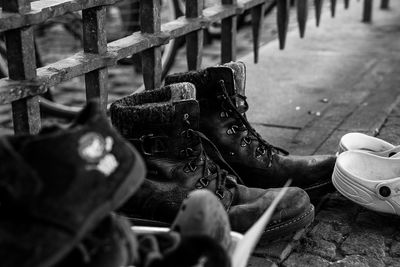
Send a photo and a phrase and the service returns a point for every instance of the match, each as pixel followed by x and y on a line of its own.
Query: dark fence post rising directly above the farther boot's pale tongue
pixel 228 36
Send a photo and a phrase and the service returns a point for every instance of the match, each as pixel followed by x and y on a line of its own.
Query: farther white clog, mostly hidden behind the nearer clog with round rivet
pixel 370 144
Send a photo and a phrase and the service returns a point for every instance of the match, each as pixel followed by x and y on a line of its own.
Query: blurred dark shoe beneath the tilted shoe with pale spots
pixel 111 244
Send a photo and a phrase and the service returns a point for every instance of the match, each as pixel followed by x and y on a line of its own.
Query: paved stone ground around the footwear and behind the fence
pixel 343 77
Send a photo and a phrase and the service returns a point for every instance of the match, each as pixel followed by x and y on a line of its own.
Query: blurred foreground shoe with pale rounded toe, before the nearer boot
pixel 200 236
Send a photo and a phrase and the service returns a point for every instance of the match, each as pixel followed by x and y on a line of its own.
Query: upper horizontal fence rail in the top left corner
pixel 45 9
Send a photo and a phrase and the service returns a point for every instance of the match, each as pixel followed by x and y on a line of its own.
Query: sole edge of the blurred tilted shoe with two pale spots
pixel 123 192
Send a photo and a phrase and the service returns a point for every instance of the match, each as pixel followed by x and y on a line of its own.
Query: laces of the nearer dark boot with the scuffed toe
pixel 211 170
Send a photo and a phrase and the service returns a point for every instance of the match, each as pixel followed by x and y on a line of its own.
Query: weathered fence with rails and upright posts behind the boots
pixel 25 82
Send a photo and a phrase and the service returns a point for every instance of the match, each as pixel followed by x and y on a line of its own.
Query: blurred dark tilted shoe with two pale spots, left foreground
pixel 58 185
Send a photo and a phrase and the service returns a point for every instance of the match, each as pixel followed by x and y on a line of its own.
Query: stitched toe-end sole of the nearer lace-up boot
pixel 289 227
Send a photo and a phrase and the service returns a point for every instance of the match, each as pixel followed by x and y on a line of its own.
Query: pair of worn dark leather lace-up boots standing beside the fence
pixel 193 134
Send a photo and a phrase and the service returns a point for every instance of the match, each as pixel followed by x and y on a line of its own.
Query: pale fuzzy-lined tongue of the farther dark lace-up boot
pixel 239 76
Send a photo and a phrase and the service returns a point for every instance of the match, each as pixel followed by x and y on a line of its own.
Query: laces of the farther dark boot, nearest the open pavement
pixel 252 135
